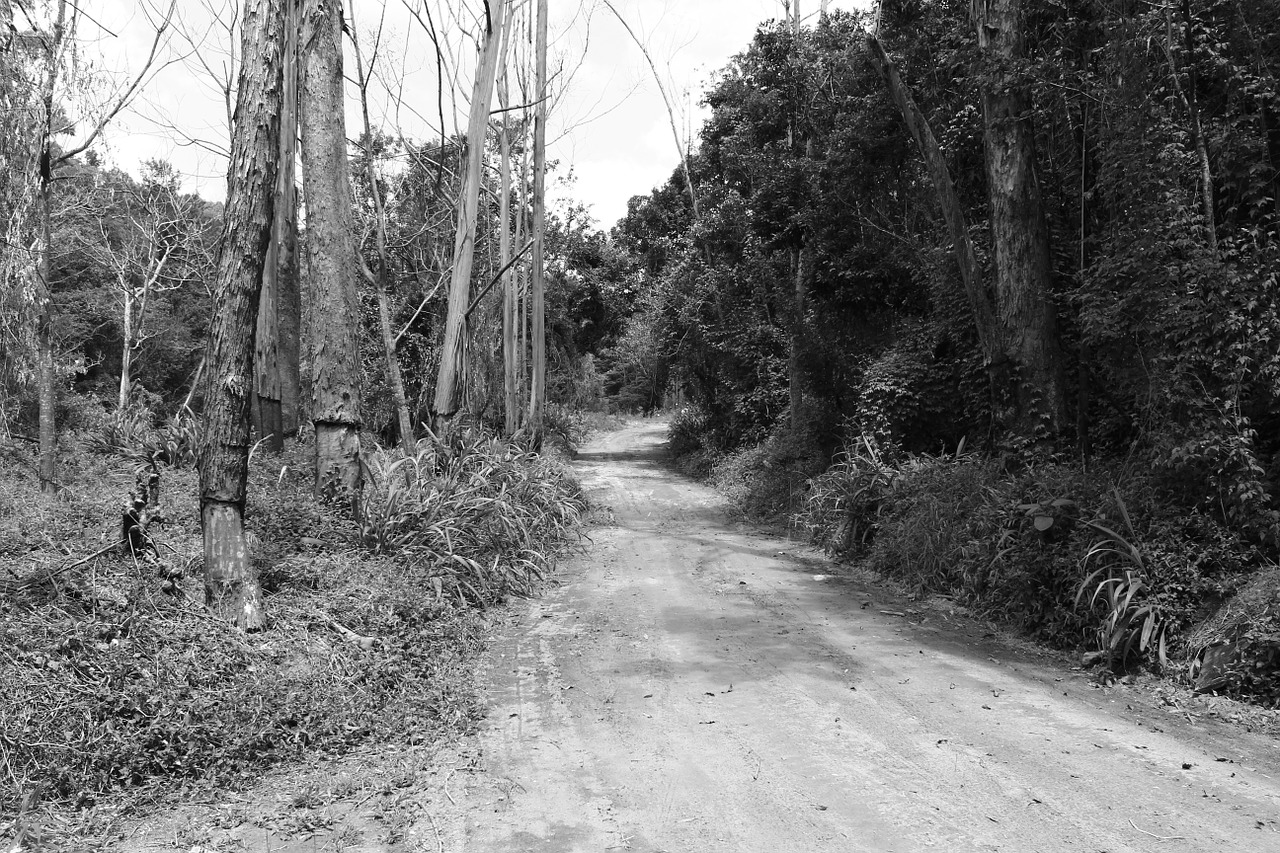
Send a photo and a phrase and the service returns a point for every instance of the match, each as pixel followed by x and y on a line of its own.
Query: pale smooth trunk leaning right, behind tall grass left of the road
pixel 449 381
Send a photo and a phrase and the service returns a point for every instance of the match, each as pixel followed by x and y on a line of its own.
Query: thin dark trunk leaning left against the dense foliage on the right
pixel 953 212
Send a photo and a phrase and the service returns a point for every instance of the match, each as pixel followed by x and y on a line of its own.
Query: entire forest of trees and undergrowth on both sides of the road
pixel 981 297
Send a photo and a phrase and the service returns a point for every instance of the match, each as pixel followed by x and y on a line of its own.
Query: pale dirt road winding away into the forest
pixel 694 686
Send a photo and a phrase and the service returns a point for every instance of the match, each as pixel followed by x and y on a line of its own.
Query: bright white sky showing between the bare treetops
pixel 609 125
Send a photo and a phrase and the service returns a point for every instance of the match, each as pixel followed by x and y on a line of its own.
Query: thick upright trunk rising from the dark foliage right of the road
pixel 1018 229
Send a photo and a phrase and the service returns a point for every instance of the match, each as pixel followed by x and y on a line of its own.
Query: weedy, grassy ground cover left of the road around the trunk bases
pixel 118 683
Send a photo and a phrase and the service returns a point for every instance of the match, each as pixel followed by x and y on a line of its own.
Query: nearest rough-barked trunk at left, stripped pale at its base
pixel 231 587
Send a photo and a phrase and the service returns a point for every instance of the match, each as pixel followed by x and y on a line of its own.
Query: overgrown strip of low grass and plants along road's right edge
pixel 1101 560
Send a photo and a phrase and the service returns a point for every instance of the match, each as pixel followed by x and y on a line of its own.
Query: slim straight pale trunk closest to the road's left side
pixel 538 387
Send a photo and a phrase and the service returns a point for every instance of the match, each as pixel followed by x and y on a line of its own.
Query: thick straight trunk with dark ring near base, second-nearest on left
pixel 335 346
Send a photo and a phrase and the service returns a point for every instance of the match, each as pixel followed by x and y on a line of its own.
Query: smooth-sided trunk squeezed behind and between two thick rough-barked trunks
pixel 269 357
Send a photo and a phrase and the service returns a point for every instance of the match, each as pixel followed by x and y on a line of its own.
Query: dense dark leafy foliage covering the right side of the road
pixel 816 304
